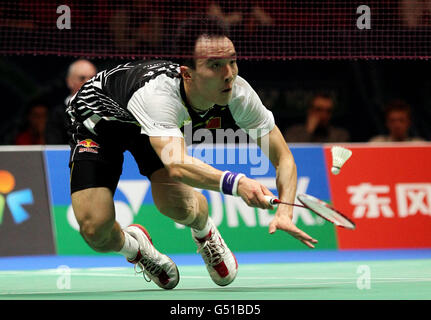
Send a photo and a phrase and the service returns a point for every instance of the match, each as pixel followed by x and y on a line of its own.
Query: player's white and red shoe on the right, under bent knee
pixel 220 261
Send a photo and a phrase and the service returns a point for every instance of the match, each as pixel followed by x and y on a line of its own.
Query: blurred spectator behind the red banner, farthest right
pixel 398 122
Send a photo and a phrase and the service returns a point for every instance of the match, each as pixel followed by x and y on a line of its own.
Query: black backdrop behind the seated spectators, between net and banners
pixel 361 88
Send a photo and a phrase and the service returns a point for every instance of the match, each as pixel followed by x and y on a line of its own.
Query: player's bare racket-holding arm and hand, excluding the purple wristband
pixel 172 151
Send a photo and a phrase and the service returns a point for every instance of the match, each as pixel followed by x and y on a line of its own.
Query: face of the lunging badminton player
pixel 215 71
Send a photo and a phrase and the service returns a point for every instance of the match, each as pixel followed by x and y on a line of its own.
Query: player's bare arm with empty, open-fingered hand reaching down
pixel 275 147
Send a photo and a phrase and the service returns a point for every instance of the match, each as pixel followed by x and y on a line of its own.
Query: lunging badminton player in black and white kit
pixel 141 107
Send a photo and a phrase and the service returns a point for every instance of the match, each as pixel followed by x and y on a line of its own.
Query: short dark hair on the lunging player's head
pixel 190 31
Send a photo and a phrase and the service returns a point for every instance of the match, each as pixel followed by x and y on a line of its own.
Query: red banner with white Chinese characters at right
pixel 386 190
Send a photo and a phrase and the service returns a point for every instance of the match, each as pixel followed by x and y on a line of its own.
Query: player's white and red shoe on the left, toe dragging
pixel 157 266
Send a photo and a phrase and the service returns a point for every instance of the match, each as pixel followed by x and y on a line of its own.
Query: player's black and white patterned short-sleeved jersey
pixel 151 94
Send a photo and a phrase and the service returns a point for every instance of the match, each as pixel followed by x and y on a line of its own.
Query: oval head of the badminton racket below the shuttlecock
pixel 325 211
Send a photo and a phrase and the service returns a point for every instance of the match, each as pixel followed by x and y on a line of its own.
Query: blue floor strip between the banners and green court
pixel 100 261
